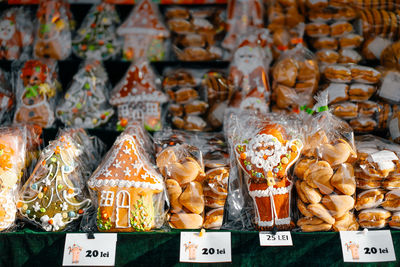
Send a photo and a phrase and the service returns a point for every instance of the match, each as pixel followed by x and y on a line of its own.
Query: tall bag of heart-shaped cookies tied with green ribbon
pixel 325 183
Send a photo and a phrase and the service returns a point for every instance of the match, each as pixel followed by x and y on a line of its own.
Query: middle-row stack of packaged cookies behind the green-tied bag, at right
pixel 350 87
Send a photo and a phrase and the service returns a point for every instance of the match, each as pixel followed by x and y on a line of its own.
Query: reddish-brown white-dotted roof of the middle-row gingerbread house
pixel 137 85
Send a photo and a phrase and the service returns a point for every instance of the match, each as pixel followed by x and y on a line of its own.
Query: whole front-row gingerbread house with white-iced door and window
pixel 126 183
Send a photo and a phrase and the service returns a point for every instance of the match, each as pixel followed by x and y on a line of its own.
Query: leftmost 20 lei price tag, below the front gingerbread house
pixel 81 251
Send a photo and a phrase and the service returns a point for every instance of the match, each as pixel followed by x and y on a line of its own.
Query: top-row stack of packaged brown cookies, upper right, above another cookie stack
pixel 331 32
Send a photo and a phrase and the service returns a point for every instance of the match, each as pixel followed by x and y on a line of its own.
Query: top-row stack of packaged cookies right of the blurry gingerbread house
pixel 196 33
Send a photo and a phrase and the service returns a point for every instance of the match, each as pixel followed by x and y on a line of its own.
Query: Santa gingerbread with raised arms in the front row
pixel 266 158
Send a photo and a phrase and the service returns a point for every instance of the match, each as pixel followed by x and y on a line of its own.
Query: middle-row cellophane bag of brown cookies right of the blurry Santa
pixel 295 78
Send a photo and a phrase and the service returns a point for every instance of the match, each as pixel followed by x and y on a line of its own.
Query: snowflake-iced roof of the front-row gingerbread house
pixel 125 166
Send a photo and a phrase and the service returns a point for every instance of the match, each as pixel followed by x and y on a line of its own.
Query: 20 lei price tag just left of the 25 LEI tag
pixel 210 247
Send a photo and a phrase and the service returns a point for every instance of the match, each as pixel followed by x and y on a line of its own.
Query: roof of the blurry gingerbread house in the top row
pixel 144 19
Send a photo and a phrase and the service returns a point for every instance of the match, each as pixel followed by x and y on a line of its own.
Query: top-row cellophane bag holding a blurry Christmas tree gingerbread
pixel 97 37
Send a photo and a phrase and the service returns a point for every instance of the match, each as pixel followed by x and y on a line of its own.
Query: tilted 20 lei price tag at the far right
pixel 371 246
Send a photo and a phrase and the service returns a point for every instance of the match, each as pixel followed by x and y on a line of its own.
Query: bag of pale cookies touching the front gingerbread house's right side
pixel 183 170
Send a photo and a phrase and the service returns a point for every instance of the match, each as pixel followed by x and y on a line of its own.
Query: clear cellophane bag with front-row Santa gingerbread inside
pixel 262 150
